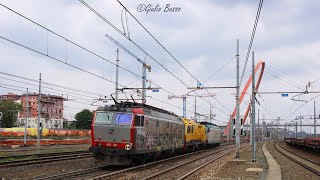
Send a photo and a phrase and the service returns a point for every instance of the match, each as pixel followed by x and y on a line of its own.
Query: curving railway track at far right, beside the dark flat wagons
pixel 306 163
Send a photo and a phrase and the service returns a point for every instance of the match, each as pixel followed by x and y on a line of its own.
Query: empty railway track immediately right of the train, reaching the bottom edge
pixel 157 169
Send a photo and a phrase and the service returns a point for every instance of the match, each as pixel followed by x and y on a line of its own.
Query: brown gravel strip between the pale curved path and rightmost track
pixel 289 169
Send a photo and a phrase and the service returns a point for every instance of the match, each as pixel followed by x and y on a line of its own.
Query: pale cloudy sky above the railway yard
pixel 201 37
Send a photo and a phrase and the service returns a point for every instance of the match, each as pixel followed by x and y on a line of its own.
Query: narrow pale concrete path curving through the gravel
pixel 274 171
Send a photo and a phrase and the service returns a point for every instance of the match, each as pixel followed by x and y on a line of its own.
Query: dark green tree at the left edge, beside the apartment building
pixel 9 110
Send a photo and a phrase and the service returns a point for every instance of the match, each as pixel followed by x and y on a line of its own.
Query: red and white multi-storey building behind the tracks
pixel 51 111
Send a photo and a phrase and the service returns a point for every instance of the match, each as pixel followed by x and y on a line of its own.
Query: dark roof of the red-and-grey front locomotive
pixel 121 106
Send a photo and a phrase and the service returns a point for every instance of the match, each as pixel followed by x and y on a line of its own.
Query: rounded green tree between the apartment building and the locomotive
pixel 84 119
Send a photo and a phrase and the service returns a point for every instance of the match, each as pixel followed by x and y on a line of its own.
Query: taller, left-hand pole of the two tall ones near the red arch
pixel 237 108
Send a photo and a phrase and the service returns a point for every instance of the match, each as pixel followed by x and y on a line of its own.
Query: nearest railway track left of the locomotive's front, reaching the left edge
pixel 43 158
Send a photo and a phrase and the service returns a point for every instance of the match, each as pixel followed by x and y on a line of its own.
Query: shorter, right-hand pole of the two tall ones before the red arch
pixel 253 112
